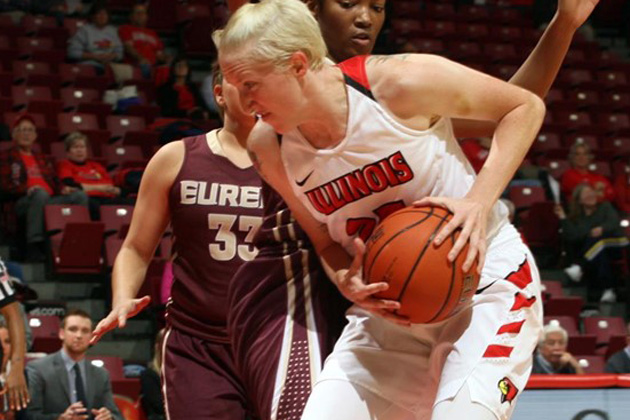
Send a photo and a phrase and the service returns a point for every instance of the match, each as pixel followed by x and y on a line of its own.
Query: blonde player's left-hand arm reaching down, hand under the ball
pixel 340 267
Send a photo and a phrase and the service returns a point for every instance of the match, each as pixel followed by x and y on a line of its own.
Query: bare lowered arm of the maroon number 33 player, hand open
pixel 151 215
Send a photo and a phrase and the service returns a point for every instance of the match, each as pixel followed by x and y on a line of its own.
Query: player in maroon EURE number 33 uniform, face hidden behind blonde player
pixel 206 188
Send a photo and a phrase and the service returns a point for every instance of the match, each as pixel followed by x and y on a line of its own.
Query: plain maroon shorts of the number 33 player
pixel 199 381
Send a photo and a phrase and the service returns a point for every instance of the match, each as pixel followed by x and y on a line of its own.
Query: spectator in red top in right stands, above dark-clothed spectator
pixel 580 157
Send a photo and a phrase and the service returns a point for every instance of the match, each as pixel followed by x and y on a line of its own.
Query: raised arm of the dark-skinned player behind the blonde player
pixel 539 70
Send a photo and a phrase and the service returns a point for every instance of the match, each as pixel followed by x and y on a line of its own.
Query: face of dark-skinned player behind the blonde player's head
pixel 349 27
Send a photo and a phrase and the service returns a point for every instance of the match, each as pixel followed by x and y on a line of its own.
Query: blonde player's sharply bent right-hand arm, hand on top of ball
pixel 429 86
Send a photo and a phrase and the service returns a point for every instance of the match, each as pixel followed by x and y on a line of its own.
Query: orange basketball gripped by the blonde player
pixel 401 253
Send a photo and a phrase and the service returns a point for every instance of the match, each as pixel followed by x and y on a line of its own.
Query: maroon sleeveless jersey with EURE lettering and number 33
pixel 216 209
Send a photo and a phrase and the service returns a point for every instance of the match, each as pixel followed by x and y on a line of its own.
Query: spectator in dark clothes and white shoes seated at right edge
pixel 593 236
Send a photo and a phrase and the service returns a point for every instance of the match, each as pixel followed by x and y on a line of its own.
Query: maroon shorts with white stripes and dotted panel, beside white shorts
pixel 285 316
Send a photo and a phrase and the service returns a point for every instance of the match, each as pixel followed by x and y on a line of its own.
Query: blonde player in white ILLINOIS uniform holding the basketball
pixel 335 121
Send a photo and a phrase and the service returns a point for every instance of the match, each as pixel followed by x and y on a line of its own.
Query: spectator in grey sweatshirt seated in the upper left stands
pixel 96 43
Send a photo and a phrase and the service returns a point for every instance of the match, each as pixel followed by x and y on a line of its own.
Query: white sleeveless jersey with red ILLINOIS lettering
pixel 379 167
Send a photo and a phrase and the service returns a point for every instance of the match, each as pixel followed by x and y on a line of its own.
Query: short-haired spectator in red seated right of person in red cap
pixel 77 171
